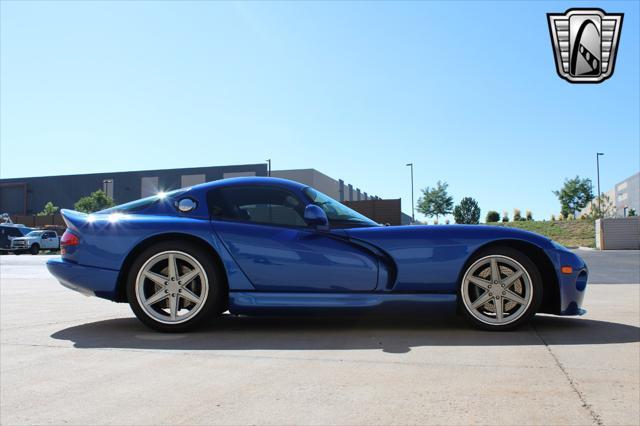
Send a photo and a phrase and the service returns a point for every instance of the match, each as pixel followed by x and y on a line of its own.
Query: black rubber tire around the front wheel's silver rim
pixel 536 285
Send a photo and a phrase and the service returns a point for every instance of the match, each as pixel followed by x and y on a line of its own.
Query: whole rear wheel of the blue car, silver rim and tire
pixel 173 286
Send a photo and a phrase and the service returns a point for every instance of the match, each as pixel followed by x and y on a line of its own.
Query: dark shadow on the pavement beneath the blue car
pixel 396 334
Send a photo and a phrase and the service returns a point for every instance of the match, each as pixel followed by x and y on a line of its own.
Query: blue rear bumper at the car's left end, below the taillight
pixel 87 280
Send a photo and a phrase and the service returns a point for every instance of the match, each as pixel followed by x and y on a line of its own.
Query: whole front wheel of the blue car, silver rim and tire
pixel 501 289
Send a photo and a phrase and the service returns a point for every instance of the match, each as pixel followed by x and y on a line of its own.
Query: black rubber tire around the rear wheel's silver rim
pixel 213 303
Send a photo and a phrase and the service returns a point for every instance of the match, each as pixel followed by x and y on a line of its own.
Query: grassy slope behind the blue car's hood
pixel 570 233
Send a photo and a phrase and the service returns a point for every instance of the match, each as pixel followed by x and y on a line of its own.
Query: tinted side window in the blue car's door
pixel 256 204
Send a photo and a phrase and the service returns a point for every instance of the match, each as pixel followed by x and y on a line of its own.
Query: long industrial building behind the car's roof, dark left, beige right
pixel 27 196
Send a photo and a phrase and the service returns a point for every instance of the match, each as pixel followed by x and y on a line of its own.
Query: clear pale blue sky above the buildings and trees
pixel 466 91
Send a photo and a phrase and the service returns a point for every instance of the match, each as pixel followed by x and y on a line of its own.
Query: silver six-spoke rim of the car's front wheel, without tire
pixel 497 290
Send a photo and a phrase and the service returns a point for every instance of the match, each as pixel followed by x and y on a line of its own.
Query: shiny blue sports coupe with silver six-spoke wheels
pixel 268 246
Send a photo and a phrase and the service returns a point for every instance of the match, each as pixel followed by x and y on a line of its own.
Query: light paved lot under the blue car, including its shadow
pixel 68 359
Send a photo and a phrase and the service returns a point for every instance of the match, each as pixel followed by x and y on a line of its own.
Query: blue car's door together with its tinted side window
pixel 264 230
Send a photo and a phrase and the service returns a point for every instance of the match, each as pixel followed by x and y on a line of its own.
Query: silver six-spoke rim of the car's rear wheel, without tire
pixel 171 287
